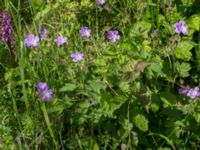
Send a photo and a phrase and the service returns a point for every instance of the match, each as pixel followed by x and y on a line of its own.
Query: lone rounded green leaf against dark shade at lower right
pixel 141 122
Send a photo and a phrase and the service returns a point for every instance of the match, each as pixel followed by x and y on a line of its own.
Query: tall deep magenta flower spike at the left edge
pixel 6 30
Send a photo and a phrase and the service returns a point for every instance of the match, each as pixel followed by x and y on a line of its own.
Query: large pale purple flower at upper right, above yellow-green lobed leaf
pixel 180 27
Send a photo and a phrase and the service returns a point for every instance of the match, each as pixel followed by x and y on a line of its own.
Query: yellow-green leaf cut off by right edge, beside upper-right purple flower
pixel 194 22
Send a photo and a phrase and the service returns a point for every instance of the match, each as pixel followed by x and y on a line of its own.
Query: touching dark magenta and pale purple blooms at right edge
pixel 192 93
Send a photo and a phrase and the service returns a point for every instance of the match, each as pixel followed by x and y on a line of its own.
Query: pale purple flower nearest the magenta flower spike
pixel 31 40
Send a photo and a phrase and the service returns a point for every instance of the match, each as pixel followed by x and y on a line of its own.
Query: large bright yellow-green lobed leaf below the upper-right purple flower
pixel 183 50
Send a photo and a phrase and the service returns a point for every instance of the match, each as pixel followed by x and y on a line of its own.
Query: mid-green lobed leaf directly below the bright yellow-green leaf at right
pixel 183 69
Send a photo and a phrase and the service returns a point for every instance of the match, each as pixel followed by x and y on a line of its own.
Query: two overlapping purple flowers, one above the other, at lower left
pixel 44 91
